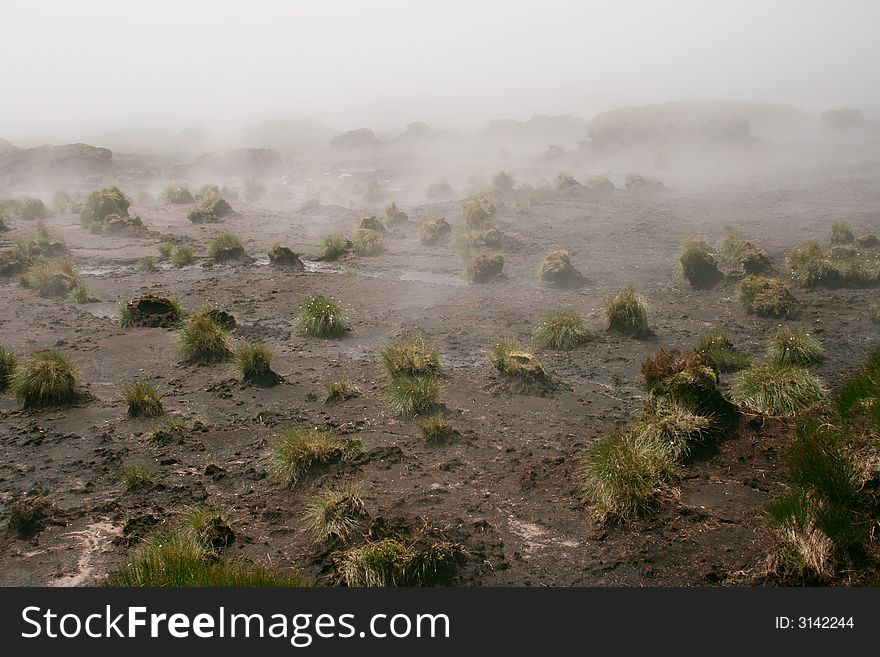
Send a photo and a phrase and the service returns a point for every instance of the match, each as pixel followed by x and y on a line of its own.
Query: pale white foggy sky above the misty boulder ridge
pixel 76 67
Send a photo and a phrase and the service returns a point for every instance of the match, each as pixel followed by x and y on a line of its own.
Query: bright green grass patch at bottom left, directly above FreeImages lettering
pixel 175 560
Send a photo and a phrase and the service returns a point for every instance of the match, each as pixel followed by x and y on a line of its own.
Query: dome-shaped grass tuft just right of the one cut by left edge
pixel 45 378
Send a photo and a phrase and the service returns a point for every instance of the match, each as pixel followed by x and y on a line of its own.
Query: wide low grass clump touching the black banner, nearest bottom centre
pixel 396 561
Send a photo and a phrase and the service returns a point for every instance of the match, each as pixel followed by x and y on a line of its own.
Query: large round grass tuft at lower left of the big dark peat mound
pixel 623 475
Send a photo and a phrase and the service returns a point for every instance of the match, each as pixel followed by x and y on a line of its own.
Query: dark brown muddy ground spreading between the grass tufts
pixel 505 486
